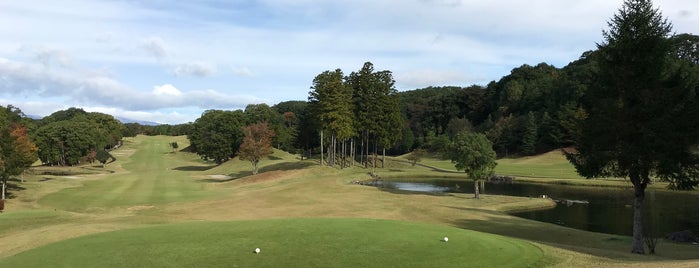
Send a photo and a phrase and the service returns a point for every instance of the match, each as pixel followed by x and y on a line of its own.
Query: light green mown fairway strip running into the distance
pixel 151 179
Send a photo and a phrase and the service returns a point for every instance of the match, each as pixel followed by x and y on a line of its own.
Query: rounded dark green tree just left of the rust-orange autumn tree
pixel 217 135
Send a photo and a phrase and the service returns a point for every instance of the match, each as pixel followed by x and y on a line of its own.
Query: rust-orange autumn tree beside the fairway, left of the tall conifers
pixel 257 143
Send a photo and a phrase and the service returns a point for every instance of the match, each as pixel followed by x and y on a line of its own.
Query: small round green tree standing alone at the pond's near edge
pixel 473 153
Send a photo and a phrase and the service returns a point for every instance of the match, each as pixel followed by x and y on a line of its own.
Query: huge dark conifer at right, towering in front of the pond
pixel 641 116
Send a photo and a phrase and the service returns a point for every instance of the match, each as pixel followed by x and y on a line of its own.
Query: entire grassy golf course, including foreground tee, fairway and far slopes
pixel 155 207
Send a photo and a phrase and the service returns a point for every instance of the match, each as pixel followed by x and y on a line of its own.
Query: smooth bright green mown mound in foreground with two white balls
pixel 285 243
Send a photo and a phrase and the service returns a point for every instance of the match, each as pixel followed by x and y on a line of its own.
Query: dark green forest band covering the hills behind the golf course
pixel 362 116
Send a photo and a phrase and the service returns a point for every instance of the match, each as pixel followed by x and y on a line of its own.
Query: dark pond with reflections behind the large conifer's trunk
pixel 596 209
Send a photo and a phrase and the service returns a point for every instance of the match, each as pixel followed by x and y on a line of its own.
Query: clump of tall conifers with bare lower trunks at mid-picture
pixel 359 112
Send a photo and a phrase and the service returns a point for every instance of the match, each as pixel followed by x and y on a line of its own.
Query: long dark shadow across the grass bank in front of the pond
pixel 598 244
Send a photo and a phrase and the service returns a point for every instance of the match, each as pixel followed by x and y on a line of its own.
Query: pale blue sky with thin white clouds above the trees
pixel 168 61
